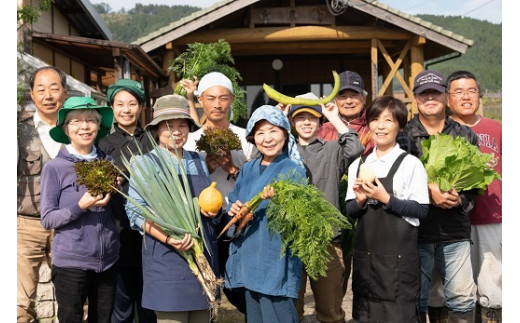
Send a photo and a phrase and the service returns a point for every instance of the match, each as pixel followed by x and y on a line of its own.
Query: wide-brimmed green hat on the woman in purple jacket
pixel 82 103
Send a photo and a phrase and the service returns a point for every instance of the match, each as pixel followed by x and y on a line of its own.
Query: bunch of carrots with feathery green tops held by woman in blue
pixel 303 217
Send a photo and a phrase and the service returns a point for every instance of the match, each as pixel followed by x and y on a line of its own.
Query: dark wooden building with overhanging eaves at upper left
pixel 72 37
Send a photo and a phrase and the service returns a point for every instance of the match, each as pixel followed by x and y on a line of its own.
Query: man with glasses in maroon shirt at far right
pixel 486 217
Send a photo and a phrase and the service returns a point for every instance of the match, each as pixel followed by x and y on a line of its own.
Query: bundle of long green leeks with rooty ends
pixel 171 207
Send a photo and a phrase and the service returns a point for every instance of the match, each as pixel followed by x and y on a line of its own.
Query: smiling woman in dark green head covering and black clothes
pixel 127 98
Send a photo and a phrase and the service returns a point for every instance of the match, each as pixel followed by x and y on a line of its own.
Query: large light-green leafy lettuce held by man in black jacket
pixel 456 163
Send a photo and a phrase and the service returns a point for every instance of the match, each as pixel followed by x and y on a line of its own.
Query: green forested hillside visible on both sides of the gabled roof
pixel 484 59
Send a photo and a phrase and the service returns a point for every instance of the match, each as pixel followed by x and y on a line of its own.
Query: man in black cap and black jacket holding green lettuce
pixel 444 236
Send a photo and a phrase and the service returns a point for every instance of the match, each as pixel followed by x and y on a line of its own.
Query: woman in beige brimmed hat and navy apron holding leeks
pixel 170 288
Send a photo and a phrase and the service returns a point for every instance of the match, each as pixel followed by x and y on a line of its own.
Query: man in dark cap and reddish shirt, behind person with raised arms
pixel 351 101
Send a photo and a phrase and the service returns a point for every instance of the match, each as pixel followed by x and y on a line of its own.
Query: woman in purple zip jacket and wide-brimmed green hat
pixel 85 248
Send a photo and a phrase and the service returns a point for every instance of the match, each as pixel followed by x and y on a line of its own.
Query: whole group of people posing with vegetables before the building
pixel 418 251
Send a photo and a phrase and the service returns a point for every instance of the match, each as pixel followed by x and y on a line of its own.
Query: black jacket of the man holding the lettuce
pixel 442 225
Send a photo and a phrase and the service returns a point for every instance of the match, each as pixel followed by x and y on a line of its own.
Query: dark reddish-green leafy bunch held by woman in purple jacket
pixel 98 176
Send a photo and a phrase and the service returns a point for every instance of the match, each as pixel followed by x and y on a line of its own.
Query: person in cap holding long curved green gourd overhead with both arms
pixel 325 162
